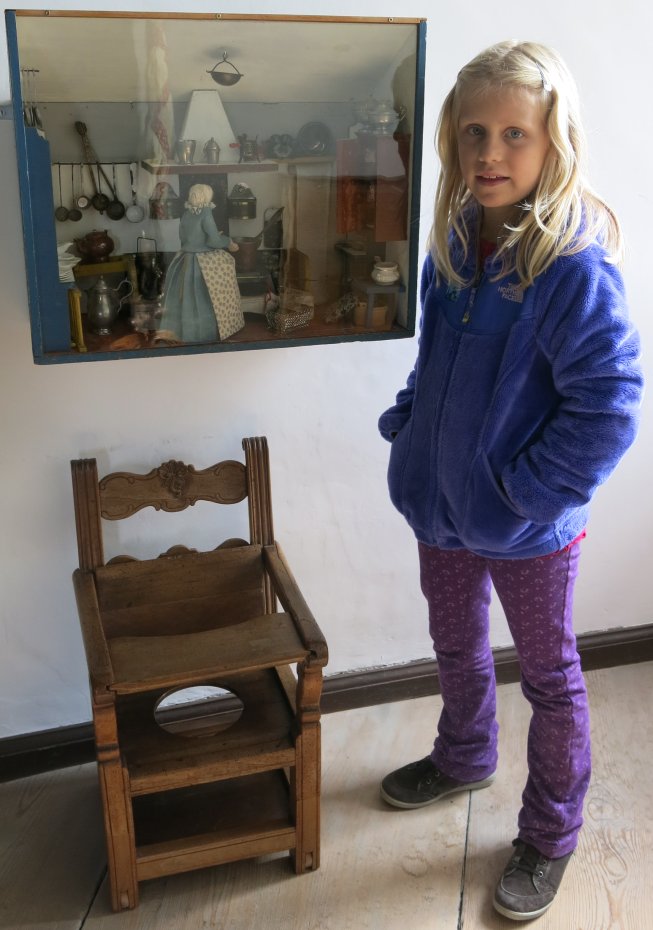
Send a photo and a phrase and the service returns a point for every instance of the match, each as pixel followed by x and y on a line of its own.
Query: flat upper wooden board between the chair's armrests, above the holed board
pixel 143 663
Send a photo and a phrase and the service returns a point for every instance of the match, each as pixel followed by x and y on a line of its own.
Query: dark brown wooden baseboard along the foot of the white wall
pixel 72 745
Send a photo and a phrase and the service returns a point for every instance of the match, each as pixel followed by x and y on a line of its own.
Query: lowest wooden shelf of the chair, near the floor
pixel 195 827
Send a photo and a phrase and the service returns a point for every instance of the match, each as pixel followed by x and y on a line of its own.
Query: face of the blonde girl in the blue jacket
pixel 503 143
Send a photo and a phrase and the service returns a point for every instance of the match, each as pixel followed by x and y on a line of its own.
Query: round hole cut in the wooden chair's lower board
pixel 201 710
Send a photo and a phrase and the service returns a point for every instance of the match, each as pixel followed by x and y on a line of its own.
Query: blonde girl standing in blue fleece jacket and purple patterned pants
pixel 523 398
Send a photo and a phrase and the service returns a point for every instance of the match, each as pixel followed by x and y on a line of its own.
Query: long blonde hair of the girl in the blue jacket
pixel 564 214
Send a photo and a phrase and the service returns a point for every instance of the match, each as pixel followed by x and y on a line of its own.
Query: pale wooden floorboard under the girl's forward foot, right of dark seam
pixel 607 884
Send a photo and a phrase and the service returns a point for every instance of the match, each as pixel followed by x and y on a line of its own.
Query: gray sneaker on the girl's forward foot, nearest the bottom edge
pixel 529 883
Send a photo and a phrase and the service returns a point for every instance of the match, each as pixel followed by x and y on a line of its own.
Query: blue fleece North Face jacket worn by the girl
pixel 521 403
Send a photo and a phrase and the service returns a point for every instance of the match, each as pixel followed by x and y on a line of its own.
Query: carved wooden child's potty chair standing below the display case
pixel 173 802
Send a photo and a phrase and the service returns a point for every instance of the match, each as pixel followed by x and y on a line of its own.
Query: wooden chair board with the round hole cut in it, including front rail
pixel 261 740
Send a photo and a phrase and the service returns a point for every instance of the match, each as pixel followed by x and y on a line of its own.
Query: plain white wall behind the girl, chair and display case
pixel 351 552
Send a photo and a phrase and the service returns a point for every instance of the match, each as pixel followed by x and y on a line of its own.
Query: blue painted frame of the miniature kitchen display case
pixel 48 297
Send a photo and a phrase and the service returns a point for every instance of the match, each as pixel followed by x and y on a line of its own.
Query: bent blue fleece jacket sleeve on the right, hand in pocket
pixel 594 353
